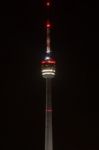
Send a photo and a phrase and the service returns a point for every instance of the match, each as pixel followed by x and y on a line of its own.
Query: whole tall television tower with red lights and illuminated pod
pixel 48 72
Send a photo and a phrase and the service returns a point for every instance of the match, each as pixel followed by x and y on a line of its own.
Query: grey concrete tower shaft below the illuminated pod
pixel 48 119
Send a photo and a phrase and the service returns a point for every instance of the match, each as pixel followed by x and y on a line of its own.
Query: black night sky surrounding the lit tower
pixel 75 88
